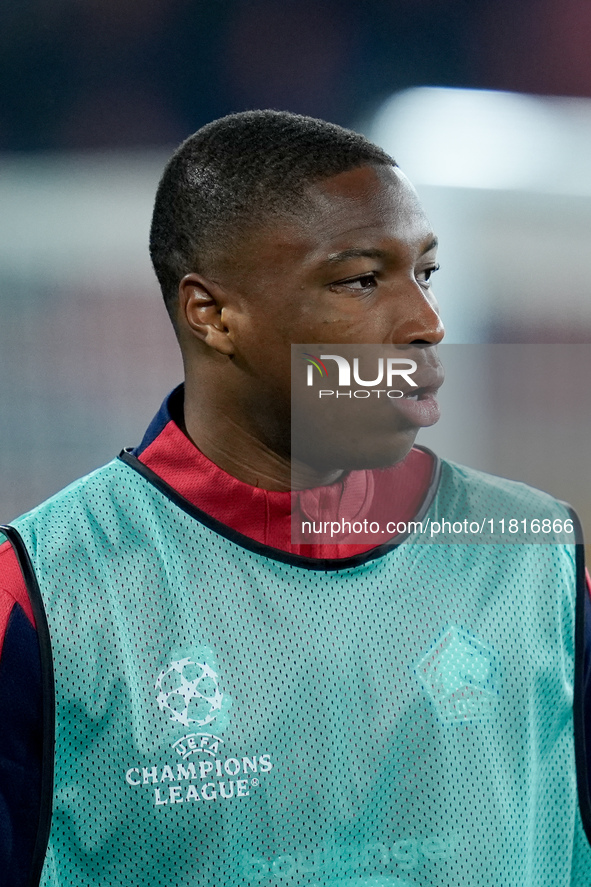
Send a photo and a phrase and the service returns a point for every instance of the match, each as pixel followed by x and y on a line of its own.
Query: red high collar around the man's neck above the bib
pixel 393 494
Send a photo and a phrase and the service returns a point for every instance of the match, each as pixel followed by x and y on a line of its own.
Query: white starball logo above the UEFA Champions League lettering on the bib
pixel 189 692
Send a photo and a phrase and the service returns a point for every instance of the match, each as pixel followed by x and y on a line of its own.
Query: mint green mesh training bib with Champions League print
pixel 226 714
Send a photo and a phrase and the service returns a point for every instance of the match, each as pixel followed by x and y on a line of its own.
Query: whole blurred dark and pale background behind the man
pixel 486 104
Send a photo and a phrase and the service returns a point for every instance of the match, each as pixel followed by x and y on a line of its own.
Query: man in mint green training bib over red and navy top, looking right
pixel 230 707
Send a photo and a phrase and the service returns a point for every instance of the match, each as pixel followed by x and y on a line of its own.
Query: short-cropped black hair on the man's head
pixel 234 173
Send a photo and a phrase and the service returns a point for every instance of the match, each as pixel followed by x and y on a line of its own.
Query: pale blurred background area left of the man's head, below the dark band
pixel 86 348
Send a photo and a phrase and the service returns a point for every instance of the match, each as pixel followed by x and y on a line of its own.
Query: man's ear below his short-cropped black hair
pixel 201 310
